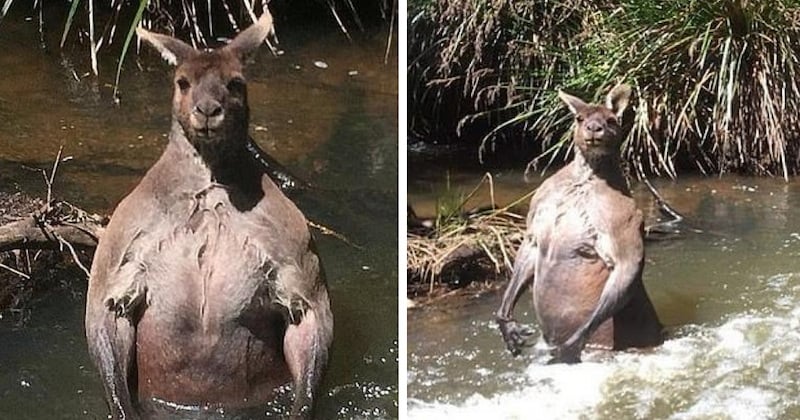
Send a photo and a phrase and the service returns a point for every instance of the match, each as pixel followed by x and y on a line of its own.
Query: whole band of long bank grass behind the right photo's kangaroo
pixel 716 80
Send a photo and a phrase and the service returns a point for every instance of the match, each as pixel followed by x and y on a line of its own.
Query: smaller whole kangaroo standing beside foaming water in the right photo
pixel 583 250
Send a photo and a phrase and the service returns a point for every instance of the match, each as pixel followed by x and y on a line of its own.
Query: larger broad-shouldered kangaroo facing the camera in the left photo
pixel 206 290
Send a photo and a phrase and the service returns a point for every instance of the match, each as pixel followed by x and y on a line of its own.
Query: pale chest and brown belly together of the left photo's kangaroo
pixel 211 332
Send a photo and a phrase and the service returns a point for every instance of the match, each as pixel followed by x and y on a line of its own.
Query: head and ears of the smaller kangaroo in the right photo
pixel 598 130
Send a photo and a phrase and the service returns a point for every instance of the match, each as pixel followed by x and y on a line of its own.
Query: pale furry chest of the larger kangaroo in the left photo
pixel 210 262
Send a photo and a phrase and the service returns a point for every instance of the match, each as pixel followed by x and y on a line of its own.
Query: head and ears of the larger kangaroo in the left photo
pixel 210 94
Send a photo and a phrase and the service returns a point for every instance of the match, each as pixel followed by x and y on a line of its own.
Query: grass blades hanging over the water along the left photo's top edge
pixel 200 21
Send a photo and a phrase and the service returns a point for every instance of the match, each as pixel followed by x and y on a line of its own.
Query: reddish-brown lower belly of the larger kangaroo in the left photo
pixel 232 365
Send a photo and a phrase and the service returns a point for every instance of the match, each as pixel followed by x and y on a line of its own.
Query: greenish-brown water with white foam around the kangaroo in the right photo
pixel 729 296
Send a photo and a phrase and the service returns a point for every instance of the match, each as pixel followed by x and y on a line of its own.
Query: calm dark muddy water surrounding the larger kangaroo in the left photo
pixel 335 127
